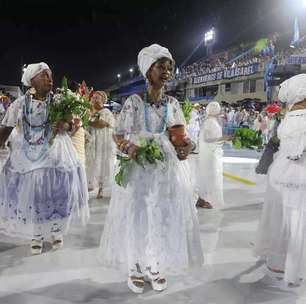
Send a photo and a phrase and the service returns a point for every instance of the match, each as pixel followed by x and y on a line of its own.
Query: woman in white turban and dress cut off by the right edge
pixel 281 233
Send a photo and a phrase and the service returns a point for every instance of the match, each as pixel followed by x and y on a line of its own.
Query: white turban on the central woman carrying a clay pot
pixel 149 55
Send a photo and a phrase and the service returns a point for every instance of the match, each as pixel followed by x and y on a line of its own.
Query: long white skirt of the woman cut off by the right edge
pixel 282 229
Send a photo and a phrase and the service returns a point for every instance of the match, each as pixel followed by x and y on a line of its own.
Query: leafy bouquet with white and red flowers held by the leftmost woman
pixel 68 106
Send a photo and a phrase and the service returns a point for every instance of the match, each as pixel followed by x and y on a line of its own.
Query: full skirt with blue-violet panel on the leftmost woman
pixel 42 202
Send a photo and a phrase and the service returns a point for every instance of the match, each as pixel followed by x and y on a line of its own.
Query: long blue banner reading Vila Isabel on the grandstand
pixel 227 73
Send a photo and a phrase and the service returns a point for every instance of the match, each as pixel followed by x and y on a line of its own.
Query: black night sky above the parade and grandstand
pixel 96 40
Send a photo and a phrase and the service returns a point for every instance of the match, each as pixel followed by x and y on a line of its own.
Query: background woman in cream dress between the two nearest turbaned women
pixel 101 165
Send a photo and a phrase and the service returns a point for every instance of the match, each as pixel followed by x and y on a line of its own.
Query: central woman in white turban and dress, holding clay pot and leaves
pixel 152 228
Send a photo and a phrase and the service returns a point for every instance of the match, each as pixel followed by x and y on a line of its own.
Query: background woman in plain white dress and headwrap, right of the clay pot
pixel 210 170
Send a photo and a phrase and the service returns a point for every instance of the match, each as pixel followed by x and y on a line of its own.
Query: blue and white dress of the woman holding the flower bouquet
pixel 42 187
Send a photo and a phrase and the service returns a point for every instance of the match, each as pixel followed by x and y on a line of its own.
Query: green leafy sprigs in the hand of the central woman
pixel 148 152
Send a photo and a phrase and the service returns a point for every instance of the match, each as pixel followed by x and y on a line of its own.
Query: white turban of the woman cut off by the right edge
pixel 293 90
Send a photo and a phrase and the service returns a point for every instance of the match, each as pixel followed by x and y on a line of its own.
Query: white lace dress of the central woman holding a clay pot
pixel 153 221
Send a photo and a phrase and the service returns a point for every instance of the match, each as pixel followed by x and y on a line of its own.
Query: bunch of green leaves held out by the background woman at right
pixel 247 138
